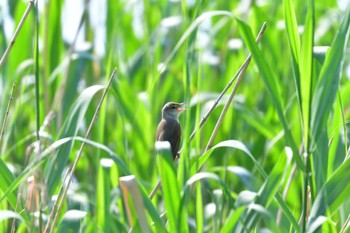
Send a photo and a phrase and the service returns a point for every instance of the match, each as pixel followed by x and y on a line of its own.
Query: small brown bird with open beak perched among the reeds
pixel 169 128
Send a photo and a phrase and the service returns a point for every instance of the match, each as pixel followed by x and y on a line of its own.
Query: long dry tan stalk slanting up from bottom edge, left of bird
pixel 67 182
